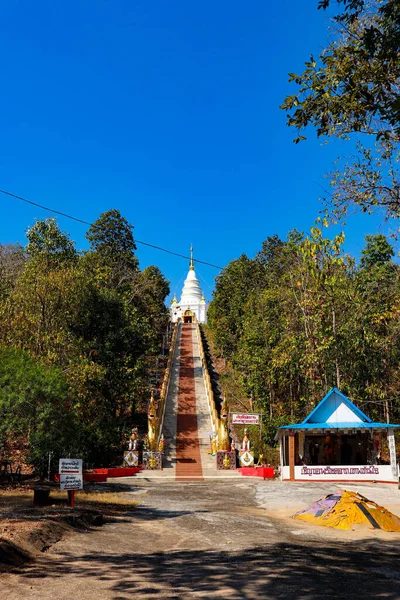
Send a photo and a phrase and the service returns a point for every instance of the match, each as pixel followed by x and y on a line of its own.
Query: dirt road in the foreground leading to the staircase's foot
pixel 211 540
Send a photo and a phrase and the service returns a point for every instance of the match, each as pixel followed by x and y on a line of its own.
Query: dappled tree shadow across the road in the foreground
pixel 277 571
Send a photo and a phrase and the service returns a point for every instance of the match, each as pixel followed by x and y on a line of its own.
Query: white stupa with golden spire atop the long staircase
pixel 192 303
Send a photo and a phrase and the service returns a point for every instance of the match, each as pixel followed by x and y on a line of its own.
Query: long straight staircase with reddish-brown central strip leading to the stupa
pixel 187 423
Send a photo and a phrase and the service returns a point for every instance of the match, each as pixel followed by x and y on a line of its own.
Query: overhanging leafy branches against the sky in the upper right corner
pixel 352 90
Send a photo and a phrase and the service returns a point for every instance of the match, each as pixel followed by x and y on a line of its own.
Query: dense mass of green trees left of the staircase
pixel 78 337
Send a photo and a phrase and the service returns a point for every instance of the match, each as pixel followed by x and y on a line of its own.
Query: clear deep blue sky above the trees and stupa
pixel 168 111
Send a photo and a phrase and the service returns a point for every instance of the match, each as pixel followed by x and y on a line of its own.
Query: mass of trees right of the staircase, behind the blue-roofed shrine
pixel 302 317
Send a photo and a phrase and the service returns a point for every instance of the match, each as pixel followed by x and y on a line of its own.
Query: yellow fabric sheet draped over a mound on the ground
pixel 347 513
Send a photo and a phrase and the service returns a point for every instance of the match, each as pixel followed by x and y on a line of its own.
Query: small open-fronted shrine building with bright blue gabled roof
pixel 337 442
